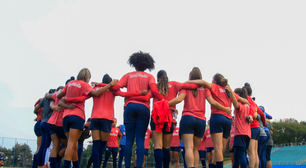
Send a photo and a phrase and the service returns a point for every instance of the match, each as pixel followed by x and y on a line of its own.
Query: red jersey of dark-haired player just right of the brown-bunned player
pixel 242 125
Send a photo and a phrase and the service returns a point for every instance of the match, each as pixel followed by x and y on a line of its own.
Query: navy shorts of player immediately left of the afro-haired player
pixel 101 124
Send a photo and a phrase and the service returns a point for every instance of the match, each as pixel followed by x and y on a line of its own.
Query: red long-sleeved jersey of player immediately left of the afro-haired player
pixel 103 105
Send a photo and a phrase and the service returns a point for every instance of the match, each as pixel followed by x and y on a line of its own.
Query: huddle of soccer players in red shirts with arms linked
pixel 61 118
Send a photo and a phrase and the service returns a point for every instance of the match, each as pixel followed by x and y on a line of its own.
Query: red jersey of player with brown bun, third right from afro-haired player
pixel 218 93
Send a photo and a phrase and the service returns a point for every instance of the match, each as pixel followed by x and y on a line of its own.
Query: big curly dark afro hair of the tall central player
pixel 141 61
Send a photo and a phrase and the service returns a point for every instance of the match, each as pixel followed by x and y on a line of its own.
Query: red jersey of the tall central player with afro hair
pixel 136 82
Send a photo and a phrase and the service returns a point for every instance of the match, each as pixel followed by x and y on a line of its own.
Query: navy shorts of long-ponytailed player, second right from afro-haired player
pixel 192 125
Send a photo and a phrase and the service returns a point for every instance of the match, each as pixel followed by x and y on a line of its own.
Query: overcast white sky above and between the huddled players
pixel 43 43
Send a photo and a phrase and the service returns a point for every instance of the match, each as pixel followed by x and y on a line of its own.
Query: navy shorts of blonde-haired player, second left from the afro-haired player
pixel 74 122
